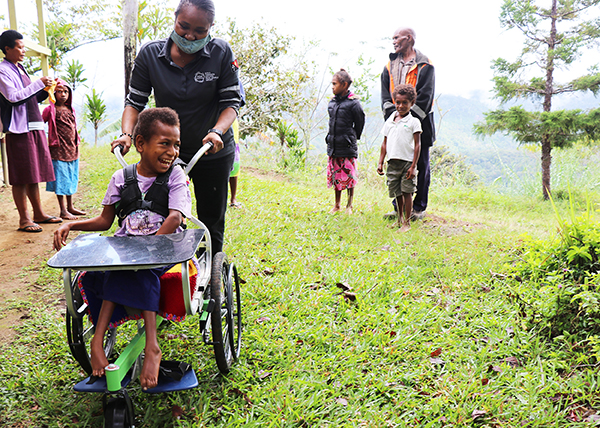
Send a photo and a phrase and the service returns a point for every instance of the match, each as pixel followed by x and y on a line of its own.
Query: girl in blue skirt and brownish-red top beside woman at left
pixel 63 140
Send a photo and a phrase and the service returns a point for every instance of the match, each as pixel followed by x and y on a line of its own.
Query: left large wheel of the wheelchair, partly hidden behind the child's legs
pixel 80 330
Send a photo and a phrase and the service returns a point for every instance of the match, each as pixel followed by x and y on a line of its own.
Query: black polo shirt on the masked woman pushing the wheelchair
pixel 198 92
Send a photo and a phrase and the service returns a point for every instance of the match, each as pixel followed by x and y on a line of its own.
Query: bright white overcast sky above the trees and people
pixel 460 37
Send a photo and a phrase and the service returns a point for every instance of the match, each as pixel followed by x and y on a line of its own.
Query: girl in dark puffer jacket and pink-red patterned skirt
pixel 346 123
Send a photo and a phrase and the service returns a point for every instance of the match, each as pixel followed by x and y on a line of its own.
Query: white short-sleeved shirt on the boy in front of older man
pixel 400 136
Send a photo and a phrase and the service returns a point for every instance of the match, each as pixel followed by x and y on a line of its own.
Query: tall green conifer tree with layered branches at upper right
pixel 556 33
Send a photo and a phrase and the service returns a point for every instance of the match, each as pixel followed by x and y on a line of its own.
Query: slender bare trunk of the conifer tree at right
pixel 549 91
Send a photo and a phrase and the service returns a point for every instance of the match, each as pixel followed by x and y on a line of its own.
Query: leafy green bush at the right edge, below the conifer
pixel 556 282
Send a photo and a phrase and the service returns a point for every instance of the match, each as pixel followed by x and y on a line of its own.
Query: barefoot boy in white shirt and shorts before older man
pixel 401 146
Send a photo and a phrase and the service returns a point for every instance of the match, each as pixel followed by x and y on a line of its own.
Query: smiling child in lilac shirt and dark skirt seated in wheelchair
pixel 150 197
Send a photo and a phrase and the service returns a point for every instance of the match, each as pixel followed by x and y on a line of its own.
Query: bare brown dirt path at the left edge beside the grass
pixel 20 258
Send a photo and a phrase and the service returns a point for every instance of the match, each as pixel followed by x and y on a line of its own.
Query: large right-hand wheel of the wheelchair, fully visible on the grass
pixel 221 317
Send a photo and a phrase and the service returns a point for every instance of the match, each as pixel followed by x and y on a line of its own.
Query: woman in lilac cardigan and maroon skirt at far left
pixel 29 161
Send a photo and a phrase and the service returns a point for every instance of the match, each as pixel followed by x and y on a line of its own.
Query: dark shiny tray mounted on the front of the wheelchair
pixel 92 252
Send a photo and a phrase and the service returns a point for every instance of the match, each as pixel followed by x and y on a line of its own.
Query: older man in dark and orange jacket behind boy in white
pixel 408 65
